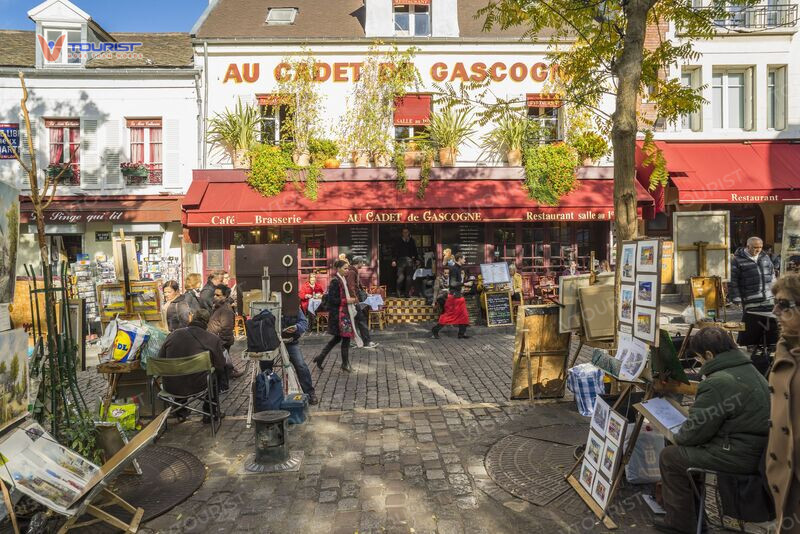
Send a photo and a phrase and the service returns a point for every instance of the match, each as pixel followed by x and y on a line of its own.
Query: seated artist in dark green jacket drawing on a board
pixel 726 429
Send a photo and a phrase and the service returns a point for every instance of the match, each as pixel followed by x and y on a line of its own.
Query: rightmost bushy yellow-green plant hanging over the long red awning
pixel 550 171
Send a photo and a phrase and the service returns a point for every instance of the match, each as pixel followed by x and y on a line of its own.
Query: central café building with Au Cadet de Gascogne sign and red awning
pixel 478 207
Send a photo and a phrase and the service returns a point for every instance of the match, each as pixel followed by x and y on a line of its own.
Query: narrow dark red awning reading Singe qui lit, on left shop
pixel 71 210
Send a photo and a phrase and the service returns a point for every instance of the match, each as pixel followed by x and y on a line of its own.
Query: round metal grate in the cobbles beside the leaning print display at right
pixel 530 469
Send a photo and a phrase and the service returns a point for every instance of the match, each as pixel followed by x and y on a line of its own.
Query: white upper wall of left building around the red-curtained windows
pixel 107 99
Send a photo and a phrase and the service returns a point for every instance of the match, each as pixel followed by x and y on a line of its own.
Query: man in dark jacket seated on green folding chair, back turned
pixel 189 341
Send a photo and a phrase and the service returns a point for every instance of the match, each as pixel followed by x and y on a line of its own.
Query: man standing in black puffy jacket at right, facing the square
pixel 752 274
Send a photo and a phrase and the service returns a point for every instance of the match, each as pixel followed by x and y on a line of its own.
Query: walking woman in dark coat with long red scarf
pixel 341 317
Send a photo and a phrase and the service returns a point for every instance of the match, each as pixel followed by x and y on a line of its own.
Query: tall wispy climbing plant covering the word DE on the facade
pixel 385 76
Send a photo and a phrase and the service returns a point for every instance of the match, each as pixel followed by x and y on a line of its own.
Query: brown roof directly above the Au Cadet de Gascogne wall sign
pixel 317 20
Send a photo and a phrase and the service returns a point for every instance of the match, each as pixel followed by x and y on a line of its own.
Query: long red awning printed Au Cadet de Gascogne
pixel 222 198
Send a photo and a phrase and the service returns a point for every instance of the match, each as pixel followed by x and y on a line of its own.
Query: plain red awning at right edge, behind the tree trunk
pixel 733 172
